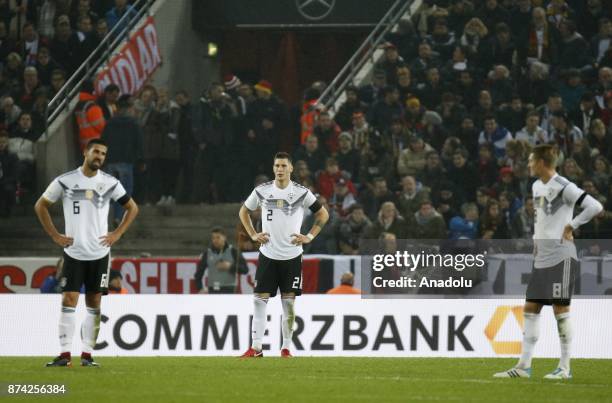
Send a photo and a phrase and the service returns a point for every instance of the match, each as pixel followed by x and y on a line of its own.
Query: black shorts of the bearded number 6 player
pixel 93 273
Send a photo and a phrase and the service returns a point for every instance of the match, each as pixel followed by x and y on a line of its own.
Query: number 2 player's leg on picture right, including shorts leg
pixel 291 286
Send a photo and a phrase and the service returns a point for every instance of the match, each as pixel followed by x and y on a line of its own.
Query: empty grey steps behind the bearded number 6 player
pixel 182 230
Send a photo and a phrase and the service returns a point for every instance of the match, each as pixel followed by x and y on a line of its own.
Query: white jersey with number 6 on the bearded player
pixel 86 202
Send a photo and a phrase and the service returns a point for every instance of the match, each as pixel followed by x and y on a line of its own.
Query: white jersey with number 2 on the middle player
pixel 282 212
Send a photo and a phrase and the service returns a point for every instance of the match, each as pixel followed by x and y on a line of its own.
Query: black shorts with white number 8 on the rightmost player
pixel 553 285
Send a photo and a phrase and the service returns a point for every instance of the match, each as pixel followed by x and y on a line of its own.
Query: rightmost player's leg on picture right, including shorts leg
pixel 561 308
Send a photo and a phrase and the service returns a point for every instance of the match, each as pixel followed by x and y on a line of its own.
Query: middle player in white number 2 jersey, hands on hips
pixel 282 204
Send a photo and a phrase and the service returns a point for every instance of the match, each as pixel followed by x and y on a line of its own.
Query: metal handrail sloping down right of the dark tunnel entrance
pixel 365 52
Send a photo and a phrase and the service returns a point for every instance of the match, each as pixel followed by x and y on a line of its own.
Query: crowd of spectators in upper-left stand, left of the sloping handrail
pixel 42 42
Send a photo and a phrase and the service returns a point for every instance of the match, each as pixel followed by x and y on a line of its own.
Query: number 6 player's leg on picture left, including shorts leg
pixel 71 282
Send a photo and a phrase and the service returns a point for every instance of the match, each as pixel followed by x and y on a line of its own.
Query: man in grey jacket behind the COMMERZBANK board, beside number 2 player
pixel 223 261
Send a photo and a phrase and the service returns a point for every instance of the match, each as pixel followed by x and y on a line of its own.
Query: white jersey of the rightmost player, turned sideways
pixel 554 207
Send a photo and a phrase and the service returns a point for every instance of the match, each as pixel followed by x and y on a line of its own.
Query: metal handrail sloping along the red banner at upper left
pixel 89 67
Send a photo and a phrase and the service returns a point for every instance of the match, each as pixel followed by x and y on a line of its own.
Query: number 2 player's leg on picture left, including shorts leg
pixel 266 284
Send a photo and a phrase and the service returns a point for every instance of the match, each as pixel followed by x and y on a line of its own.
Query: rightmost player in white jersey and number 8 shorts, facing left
pixel 555 262
